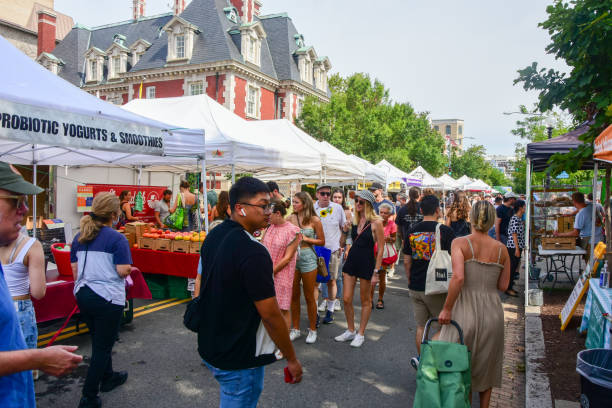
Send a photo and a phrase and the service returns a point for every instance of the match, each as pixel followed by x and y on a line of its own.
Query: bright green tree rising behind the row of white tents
pixel 361 119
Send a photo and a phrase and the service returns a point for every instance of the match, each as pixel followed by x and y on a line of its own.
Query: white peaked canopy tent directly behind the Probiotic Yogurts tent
pixel 232 144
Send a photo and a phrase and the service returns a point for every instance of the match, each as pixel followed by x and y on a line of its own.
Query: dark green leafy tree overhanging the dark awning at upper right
pixel 580 31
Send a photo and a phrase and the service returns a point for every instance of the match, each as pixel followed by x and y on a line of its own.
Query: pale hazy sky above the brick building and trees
pixel 454 59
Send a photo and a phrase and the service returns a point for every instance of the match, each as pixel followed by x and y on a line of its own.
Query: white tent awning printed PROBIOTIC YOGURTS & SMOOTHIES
pixel 46 120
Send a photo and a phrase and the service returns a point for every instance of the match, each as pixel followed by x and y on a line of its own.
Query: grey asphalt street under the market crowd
pixel 165 369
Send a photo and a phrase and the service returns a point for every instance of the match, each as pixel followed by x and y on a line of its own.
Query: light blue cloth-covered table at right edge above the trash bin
pixel 597 310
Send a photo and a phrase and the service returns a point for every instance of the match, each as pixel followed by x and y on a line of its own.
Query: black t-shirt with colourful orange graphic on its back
pixel 420 244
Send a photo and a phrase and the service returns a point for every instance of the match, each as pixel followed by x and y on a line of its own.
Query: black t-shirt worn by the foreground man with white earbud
pixel 241 273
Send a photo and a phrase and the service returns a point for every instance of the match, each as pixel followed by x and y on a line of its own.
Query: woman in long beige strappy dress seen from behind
pixel 481 268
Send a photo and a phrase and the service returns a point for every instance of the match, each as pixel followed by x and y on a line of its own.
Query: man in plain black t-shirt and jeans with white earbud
pixel 241 320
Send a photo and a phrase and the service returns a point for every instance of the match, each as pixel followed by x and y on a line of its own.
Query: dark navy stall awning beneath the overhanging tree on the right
pixel 540 152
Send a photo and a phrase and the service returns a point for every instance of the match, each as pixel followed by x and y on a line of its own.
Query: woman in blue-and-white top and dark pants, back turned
pixel 101 259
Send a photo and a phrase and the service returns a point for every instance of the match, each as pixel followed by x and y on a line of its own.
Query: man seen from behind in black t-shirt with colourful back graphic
pixel 419 246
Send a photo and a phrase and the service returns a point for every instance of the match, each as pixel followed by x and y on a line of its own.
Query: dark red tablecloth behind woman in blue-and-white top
pixel 59 299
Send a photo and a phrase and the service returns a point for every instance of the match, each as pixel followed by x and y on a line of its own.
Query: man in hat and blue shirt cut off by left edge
pixel 16 361
